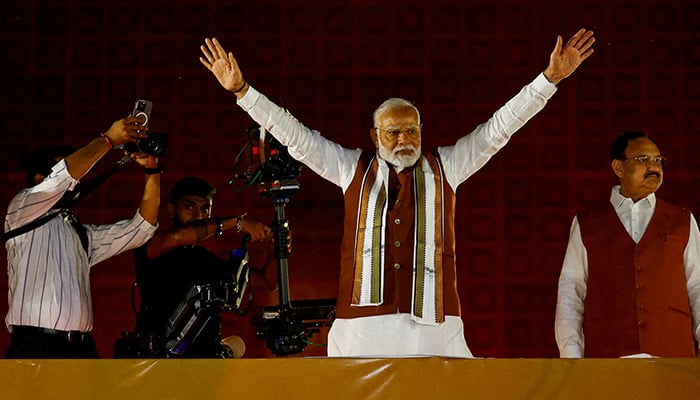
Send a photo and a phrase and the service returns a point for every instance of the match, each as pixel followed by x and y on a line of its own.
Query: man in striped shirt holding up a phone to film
pixel 49 254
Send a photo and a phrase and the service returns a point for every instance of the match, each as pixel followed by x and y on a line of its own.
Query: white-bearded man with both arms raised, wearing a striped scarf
pixel 398 288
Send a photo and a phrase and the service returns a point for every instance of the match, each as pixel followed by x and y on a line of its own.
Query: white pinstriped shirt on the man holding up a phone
pixel 48 269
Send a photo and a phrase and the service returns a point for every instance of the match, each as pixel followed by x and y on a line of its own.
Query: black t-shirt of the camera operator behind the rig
pixel 163 284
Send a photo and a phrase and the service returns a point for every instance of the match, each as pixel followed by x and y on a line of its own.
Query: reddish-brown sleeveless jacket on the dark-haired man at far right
pixel 637 300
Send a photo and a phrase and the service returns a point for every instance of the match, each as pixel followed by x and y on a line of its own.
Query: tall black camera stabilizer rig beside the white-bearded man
pixel 287 327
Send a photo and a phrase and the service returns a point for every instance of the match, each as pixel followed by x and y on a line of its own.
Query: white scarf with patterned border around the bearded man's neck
pixel 370 240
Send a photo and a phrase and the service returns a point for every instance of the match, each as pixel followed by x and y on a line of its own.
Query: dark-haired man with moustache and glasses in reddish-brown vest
pixel 630 282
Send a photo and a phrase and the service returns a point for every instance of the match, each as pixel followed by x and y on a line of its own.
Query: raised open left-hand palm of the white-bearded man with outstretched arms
pixel 223 65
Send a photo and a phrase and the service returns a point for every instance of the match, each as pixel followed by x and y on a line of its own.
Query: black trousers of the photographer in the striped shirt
pixel 32 342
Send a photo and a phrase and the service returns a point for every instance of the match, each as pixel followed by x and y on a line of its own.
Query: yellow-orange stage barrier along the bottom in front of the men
pixel 337 378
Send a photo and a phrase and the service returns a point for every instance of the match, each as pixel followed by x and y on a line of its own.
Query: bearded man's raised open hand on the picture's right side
pixel 565 59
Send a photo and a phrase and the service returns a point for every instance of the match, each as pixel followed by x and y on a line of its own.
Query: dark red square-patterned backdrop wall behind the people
pixel 71 68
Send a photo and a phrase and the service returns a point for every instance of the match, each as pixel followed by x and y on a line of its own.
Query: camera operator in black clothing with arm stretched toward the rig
pixel 171 263
